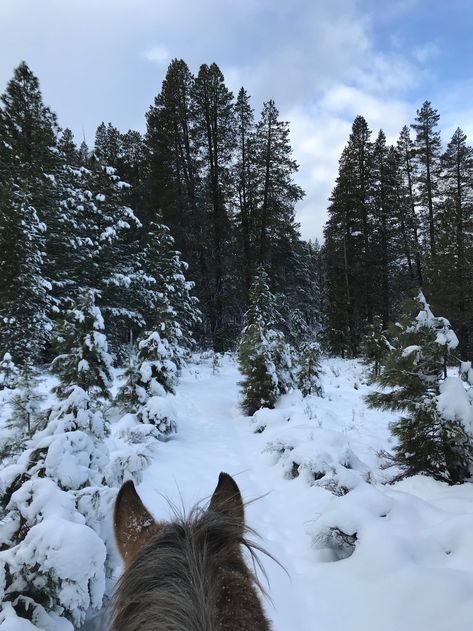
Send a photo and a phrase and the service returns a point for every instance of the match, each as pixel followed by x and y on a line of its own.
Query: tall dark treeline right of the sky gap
pixel 400 219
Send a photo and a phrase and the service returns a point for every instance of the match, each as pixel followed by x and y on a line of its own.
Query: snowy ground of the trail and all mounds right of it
pixel 412 565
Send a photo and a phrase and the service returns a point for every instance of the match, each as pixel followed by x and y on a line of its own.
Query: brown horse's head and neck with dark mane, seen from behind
pixel 186 575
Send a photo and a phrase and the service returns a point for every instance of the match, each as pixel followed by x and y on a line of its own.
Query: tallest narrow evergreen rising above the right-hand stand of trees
pixel 427 151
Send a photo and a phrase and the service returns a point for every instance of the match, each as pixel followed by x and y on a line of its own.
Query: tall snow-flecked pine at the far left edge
pixel 28 203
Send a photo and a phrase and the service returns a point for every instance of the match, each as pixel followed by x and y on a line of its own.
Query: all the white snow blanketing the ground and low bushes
pixel 360 554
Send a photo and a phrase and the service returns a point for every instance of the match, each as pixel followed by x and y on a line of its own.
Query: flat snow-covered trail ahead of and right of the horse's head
pixel 214 437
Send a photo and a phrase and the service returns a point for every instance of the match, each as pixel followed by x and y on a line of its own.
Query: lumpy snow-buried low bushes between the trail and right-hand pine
pixel 311 438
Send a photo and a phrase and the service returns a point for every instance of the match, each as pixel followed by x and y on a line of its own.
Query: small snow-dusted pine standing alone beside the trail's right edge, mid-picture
pixel 257 350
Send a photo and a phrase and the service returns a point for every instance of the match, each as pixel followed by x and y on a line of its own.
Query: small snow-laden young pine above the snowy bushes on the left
pixel 83 358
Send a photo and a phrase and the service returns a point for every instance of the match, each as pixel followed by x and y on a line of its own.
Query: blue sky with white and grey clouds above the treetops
pixel 322 61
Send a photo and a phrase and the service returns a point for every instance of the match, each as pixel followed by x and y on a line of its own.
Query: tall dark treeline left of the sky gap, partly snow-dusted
pixel 207 184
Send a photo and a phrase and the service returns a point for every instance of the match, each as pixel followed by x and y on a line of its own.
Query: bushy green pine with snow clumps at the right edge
pixel 434 438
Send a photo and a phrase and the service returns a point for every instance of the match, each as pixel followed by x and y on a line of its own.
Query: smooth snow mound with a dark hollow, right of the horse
pixel 392 540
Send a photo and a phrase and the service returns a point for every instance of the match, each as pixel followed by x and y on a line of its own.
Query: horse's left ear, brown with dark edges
pixel 132 522
